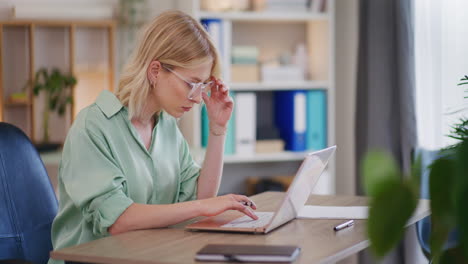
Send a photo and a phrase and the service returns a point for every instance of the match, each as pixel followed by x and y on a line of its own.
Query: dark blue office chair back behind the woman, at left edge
pixel 27 200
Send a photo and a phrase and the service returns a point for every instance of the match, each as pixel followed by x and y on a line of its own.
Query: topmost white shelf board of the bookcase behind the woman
pixel 291 16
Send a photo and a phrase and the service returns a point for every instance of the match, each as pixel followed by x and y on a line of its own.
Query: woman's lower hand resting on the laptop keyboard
pixel 216 205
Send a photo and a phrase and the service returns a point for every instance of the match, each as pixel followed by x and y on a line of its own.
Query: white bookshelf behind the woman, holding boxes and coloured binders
pixel 272 32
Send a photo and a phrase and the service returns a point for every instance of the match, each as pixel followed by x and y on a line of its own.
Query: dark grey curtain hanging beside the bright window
pixel 385 116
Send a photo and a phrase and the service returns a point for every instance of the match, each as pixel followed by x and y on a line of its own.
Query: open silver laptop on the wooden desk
pixel 298 192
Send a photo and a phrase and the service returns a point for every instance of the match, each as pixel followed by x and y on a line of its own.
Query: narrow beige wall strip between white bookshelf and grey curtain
pixel 347 18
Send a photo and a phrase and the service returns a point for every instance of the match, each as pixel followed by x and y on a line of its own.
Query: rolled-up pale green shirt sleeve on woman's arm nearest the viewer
pixel 93 180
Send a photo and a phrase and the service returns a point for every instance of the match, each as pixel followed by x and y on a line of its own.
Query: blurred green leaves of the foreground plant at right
pixel 394 198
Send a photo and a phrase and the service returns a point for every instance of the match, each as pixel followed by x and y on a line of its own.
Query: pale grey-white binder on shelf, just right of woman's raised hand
pixel 246 122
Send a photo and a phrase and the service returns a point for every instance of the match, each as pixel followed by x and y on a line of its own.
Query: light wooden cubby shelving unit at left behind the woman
pixel 28 45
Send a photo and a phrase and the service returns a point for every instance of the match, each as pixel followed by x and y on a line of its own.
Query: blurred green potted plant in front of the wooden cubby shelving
pixel 57 88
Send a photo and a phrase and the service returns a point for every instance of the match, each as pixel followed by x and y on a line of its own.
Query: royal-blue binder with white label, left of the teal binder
pixel 290 118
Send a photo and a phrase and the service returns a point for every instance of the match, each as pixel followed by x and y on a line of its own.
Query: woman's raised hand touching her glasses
pixel 219 104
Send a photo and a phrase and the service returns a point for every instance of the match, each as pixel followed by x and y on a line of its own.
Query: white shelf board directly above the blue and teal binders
pixel 268 86
